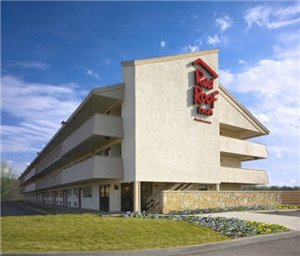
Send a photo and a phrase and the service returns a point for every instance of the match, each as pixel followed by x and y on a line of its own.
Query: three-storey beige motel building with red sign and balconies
pixel 170 125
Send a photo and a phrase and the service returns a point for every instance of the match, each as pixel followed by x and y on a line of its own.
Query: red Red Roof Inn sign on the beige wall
pixel 204 83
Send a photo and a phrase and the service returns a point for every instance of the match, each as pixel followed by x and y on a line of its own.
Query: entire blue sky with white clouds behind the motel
pixel 54 53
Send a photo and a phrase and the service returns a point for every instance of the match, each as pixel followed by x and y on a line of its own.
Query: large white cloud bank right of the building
pixel 272 87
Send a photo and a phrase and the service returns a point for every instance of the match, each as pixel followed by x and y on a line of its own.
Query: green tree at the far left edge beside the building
pixel 9 183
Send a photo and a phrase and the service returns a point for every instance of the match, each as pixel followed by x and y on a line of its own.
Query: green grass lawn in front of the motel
pixel 90 232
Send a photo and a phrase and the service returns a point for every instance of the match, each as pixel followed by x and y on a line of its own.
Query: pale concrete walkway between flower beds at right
pixel 290 222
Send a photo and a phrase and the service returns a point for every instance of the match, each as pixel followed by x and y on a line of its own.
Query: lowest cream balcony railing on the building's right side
pixel 243 176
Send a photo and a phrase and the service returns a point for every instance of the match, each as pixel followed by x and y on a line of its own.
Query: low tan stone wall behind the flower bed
pixel 189 200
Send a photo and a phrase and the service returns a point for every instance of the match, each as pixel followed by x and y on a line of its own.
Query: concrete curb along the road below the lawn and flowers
pixel 186 250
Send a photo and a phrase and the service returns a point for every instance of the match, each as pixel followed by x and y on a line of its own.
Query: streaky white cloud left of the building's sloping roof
pixel 36 111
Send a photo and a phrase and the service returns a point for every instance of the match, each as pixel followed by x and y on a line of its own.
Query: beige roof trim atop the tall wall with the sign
pixel 167 58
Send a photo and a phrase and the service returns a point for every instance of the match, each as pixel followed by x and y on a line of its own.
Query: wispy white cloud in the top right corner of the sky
pixel 272 17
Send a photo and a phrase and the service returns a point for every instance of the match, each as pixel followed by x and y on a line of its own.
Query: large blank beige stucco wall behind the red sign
pixel 170 145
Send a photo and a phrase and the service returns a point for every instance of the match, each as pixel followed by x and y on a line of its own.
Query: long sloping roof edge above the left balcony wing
pixel 91 93
